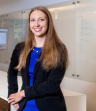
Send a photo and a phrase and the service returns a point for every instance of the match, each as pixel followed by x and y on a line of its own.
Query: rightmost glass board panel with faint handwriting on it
pixel 86 40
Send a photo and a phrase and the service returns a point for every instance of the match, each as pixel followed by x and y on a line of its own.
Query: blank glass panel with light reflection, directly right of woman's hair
pixel 64 18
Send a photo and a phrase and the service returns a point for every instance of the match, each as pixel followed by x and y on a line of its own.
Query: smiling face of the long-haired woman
pixel 38 23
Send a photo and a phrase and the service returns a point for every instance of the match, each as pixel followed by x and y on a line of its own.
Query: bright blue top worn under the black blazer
pixel 31 105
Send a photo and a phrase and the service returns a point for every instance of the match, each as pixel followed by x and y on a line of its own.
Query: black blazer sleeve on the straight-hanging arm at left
pixel 12 73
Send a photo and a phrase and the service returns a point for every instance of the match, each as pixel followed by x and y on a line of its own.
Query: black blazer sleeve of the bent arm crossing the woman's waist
pixel 51 86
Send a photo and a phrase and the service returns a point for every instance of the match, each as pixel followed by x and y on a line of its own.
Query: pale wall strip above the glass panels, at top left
pixel 17 5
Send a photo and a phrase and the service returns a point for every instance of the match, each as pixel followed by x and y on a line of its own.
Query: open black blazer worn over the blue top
pixel 46 84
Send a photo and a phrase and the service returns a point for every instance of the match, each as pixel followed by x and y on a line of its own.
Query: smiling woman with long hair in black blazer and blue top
pixel 42 61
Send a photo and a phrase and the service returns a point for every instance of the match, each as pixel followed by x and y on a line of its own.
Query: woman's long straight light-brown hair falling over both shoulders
pixel 54 51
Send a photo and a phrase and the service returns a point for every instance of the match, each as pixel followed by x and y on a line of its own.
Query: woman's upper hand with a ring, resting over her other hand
pixel 16 97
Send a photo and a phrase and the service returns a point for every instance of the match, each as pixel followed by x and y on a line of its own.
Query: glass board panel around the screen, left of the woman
pixel 14 23
